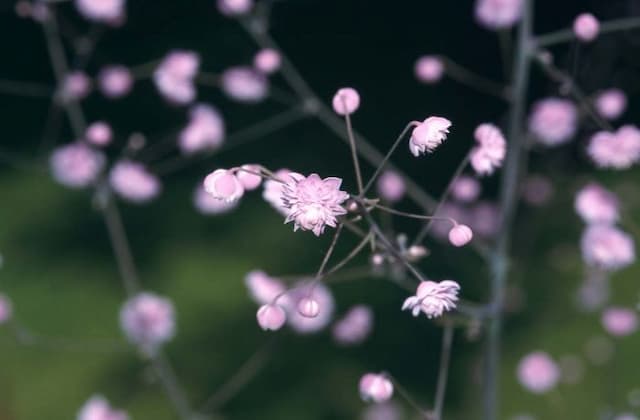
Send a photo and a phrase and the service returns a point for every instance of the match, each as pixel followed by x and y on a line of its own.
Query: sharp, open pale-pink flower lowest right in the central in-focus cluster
pixel 433 298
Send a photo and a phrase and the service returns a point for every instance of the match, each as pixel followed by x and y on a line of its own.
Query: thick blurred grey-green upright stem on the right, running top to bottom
pixel 508 201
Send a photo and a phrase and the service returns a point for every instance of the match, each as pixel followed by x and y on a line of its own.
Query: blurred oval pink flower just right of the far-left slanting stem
pixel 131 181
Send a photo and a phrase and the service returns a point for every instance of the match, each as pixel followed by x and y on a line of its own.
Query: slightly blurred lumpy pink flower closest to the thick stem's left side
pixel 488 155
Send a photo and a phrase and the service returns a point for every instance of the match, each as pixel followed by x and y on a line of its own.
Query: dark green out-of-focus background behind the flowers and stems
pixel 59 270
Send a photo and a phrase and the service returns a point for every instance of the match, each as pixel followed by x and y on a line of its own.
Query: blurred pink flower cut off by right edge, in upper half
pixel 617 150
